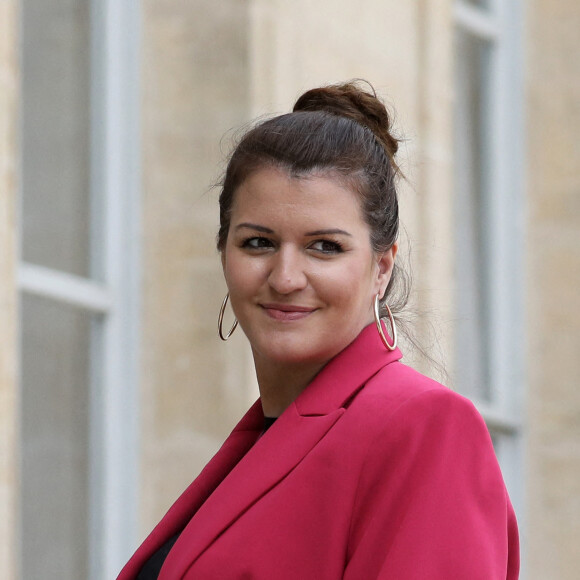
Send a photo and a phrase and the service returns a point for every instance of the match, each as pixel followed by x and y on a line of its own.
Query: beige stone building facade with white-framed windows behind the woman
pixel 115 120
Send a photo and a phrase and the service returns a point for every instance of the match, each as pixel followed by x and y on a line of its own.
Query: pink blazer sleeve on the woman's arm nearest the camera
pixel 431 501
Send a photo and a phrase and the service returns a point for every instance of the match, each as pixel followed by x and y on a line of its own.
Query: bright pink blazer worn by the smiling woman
pixel 374 472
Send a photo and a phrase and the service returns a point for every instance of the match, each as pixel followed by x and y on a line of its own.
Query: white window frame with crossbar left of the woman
pixel 112 292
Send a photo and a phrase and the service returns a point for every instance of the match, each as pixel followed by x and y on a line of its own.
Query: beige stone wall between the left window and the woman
pixel 194 388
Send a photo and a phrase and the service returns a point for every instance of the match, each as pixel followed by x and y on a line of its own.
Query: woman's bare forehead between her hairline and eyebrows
pixel 272 193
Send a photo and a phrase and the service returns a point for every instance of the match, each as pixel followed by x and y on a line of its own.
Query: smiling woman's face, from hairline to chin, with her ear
pixel 299 266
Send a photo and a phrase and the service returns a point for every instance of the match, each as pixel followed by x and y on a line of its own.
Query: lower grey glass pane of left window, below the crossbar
pixel 55 440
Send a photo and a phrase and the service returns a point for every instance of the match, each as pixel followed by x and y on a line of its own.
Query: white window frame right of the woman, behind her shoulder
pixel 501 24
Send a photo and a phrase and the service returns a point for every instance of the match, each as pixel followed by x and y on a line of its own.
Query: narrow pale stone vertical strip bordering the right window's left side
pixel 433 234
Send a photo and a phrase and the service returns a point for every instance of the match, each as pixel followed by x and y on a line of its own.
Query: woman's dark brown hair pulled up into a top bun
pixel 342 130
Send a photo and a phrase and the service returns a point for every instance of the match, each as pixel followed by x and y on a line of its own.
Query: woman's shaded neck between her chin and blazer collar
pixel 280 385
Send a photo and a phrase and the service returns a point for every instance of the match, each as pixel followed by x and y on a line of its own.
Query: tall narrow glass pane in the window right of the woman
pixel 473 61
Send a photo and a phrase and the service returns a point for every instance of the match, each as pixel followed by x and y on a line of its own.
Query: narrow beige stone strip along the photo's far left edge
pixel 8 383
